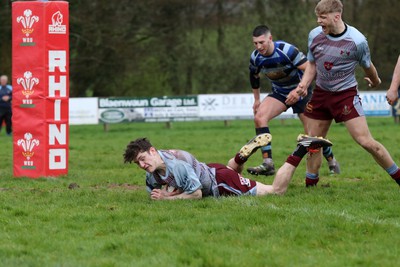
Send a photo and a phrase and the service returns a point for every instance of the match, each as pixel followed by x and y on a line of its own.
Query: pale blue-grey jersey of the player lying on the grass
pixel 185 172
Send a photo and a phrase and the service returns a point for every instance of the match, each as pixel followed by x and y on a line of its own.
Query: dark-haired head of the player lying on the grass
pixel 143 154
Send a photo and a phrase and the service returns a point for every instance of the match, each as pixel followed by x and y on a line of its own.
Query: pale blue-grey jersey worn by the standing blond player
pixel 337 57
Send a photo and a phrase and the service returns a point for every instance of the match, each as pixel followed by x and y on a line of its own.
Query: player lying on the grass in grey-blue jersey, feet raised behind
pixel 177 174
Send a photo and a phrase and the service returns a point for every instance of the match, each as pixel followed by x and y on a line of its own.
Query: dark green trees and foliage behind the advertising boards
pixel 178 47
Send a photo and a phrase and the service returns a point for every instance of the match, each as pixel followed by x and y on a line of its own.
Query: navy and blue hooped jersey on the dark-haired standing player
pixel 280 67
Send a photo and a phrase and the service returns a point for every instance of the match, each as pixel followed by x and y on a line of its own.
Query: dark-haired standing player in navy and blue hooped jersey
pixel 283 64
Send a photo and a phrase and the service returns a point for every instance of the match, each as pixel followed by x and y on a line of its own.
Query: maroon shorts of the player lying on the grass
pixel 231 183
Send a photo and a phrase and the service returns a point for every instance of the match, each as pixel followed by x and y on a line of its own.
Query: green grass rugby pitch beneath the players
pixel 350 219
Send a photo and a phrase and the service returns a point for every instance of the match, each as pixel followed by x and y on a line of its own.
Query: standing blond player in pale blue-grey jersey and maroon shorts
pixel 335 49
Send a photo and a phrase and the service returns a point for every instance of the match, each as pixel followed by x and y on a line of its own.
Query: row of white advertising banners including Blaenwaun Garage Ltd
pixel 92 110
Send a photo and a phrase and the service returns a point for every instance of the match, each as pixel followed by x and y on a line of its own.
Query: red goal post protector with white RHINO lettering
pixel 40 79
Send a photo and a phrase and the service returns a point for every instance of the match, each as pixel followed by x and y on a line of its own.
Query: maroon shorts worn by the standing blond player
pixel 340 106
